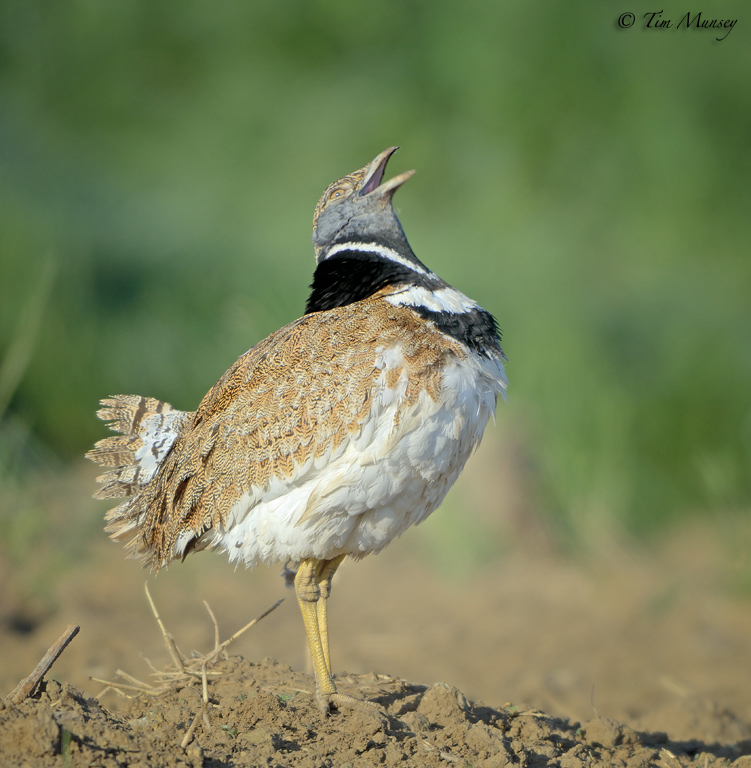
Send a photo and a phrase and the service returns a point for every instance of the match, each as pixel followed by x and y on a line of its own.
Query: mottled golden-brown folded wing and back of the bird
pixel 303 389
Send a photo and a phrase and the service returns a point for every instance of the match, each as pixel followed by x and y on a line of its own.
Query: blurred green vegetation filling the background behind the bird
pixel 588 185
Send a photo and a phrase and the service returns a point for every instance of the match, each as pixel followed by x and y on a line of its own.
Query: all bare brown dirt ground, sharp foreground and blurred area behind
pixel 628 659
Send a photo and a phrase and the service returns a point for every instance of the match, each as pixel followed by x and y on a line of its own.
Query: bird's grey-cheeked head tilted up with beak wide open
pixel 358 208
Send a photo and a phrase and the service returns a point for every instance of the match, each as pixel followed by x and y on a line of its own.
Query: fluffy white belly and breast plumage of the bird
pixel 390 475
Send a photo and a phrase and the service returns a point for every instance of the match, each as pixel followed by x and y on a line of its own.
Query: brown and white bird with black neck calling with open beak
pixel 330 437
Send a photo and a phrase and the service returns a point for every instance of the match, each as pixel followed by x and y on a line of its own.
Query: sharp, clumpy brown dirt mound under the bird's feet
pixel 265 714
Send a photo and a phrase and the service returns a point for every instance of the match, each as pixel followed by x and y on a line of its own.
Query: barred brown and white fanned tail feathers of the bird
pixel 149 429
